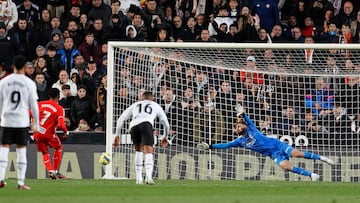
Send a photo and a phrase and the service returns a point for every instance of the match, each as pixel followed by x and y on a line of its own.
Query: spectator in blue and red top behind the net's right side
pixel 321 98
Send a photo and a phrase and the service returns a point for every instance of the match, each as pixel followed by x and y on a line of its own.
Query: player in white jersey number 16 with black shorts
pixel 141 127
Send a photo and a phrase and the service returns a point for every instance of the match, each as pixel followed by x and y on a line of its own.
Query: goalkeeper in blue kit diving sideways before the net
pixel 251 138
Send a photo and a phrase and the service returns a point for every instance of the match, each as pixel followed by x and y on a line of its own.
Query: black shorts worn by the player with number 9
pixel 19 136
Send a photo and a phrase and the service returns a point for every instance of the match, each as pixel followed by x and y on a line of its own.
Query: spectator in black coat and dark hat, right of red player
pixel 82 108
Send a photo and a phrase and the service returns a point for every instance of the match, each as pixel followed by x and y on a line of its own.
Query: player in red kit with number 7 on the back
pixel 51 117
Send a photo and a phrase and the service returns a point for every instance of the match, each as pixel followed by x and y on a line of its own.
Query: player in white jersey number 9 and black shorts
pixel 17 96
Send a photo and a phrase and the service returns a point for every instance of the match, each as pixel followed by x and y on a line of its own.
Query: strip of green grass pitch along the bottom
pixel 180 191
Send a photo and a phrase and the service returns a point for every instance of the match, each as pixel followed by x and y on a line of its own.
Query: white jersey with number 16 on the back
pixel 143 111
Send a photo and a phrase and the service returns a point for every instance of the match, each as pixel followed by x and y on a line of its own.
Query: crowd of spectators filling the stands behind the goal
pixel 65 42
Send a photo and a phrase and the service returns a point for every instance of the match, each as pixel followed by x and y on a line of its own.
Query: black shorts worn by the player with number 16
pixel 142 134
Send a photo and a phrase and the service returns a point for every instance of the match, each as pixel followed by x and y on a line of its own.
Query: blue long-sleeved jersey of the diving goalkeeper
pixel 254 140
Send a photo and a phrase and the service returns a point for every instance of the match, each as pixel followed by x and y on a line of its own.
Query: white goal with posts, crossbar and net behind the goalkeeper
pixel 304 94
